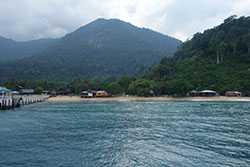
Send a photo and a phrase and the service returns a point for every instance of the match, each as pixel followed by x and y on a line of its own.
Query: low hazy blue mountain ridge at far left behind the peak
pixel 13 50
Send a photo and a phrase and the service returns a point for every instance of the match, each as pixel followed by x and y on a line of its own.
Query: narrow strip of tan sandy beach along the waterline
pixel 134 98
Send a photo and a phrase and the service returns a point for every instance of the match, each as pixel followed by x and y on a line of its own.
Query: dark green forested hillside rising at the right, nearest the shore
pixel 217 59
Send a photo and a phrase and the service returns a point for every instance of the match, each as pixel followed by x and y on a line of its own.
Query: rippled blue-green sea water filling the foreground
pixel 126 134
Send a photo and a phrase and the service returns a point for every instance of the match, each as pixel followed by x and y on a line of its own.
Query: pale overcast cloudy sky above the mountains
pixel 33 19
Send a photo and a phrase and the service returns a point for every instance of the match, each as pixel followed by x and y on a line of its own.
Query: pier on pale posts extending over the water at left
pixel 11 100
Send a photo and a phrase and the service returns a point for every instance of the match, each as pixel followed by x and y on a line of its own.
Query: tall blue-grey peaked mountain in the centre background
pixel 99 49
